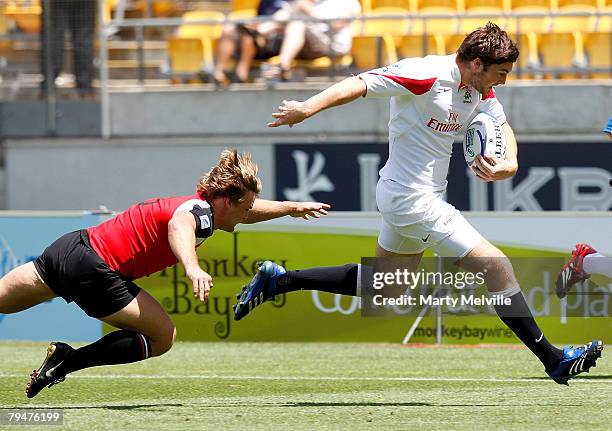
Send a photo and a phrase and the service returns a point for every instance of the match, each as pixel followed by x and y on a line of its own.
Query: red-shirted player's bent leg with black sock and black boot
pixel 145 330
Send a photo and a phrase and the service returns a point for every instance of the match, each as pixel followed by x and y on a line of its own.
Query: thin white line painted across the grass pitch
pixel 308 378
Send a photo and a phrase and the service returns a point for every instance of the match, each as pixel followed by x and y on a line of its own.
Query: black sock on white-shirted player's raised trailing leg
pixel 332 279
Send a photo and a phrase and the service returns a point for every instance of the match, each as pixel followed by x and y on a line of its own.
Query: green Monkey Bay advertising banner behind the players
pixel 232 259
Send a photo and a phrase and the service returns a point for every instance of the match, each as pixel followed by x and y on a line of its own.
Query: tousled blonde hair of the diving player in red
pixel 234 176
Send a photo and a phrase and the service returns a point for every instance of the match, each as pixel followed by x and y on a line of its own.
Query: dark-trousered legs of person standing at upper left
pixel 79 17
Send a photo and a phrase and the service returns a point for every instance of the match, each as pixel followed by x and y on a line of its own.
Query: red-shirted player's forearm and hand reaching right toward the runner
pixel 267 210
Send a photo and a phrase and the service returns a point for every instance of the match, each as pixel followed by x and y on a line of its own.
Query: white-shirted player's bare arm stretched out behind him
pixel 292 112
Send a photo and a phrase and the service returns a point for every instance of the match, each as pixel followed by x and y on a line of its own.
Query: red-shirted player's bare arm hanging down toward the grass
pixel 181 235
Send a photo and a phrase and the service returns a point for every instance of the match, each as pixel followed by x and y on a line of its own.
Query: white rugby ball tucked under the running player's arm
pixel 484 136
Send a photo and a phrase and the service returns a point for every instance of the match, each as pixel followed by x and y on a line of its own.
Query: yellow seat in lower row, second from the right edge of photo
pixel 562 50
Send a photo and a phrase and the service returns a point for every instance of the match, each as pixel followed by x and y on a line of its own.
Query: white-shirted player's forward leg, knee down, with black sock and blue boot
pixel 561 365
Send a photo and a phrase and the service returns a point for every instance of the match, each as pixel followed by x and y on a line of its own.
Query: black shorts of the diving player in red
pixel 74 271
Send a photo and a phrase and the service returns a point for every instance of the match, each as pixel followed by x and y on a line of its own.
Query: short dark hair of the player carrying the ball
pixel 489 43
